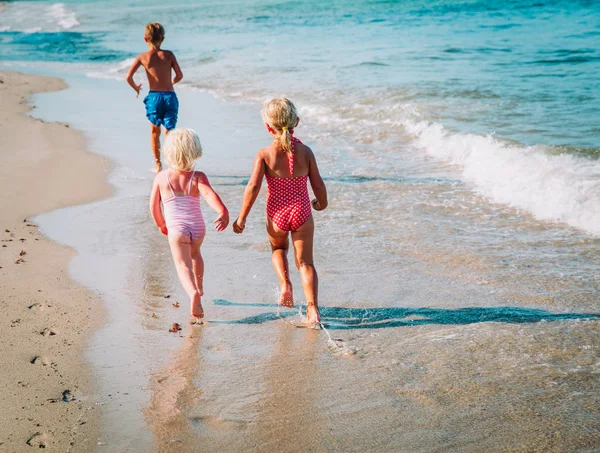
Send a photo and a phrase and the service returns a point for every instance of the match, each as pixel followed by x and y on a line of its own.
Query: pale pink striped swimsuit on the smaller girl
pixel 183 213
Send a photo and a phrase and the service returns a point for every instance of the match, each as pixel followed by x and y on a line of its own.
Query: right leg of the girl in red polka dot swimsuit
pixel 303 252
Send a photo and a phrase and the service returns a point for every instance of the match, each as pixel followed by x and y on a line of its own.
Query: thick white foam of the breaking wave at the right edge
pixel 559 188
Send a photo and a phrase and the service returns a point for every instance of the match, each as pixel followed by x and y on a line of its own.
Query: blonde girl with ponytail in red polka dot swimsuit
pixel 287 165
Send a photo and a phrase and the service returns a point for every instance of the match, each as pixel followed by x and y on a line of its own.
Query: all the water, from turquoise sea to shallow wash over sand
pixel 458 259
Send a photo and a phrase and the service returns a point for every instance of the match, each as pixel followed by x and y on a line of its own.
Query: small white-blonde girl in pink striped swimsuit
pixel 179 188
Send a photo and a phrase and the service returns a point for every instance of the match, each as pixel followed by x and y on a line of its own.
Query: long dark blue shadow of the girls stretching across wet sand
pixel 337 318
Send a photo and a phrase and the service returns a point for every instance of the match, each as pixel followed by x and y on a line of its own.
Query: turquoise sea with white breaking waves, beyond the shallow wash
pixel 506 91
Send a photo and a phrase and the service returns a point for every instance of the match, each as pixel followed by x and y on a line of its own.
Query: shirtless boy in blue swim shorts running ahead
pixel 161 103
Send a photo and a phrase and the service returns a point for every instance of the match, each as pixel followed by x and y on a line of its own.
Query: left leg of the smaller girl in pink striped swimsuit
pixel 181 249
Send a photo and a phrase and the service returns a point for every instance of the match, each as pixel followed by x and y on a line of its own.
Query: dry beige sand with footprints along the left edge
pixel 47 385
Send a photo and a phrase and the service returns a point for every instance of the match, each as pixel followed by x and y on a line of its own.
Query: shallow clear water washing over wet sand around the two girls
pixel 455 324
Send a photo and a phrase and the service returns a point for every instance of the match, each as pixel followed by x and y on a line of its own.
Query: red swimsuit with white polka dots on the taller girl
pixel 288 203
